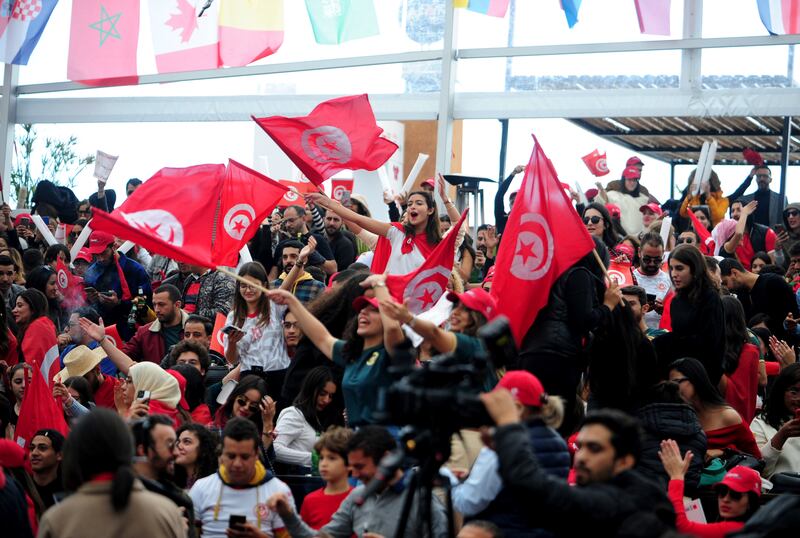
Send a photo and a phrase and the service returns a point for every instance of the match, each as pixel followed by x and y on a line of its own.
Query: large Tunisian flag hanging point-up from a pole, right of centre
pixel 543 238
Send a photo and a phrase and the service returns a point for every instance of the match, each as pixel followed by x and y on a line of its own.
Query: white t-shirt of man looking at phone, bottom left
pixel 248 502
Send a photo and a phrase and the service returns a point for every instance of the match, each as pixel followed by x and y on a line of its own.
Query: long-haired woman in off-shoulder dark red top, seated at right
pixel 724 427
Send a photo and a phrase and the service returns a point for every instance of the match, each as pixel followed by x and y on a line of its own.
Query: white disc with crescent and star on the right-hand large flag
pixel 533 252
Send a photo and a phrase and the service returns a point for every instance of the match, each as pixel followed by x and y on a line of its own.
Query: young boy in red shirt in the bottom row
pixel 320 505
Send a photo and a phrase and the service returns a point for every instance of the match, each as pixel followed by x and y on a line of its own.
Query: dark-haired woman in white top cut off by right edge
pixel 777 428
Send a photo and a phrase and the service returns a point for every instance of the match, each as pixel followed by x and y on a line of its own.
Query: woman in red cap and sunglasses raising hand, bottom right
pixel 738 495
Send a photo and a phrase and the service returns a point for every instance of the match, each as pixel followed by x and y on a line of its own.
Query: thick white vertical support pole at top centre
pixel 444 130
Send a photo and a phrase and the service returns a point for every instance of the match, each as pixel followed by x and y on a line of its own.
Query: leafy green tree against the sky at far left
pixel 57 161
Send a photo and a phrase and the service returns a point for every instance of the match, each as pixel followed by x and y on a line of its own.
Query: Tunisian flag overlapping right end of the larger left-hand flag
pixel 247 199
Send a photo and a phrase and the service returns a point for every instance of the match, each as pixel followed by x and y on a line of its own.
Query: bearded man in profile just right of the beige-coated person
pixel 154 462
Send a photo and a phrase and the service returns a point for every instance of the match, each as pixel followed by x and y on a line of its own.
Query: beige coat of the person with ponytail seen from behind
pixel 88 512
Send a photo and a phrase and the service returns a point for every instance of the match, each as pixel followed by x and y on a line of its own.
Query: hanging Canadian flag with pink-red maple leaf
pixel 181 40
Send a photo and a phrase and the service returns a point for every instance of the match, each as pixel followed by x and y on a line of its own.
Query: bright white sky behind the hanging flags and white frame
pixel 146 147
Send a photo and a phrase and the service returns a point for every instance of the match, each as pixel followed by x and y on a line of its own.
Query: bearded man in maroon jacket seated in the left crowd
pixel 151 341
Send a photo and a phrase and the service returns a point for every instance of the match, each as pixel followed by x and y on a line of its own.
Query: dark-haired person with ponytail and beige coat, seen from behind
pixel 97 466
